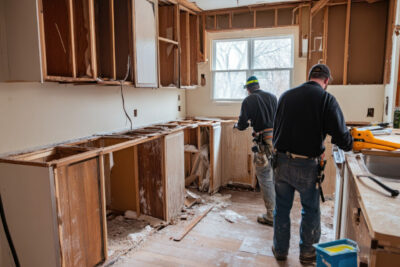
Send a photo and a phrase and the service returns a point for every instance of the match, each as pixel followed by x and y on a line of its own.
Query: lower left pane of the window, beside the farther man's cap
pixel 229 85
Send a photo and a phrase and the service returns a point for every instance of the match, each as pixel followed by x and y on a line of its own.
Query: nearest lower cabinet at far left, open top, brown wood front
pixel 53 204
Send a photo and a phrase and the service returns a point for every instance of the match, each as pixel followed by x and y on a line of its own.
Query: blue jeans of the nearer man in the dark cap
pixel 301 175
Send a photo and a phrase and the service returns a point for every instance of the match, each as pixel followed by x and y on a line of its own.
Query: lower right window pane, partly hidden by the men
pixel 276 82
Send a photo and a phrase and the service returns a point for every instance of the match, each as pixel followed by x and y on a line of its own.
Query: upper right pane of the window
pixel 272 53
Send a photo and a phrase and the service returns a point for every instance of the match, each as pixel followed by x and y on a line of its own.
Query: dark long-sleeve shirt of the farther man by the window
pixel 259 108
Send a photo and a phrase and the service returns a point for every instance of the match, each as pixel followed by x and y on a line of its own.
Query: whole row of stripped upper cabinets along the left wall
pixel 133 42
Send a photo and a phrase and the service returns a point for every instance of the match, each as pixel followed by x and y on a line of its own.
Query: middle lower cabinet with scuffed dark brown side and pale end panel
pixel 160 172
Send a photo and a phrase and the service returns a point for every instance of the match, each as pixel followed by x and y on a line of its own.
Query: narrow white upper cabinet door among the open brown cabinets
pixel 146 43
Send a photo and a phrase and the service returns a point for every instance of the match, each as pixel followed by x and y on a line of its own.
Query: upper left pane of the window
pixel 230 55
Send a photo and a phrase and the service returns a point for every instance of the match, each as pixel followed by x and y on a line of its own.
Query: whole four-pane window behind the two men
pixel 269 59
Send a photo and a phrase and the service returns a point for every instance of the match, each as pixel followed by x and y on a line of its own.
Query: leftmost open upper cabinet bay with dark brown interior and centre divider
pixel 67 40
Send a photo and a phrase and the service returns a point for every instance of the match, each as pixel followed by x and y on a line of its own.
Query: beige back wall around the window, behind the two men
pixel 353 99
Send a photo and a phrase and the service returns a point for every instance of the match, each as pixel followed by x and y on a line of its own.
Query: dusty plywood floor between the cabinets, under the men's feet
pixel 216 242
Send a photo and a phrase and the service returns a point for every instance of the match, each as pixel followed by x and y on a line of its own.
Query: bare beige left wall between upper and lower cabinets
pixel 35 114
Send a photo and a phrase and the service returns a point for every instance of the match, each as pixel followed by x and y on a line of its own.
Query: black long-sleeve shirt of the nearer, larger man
pixel 305 115
